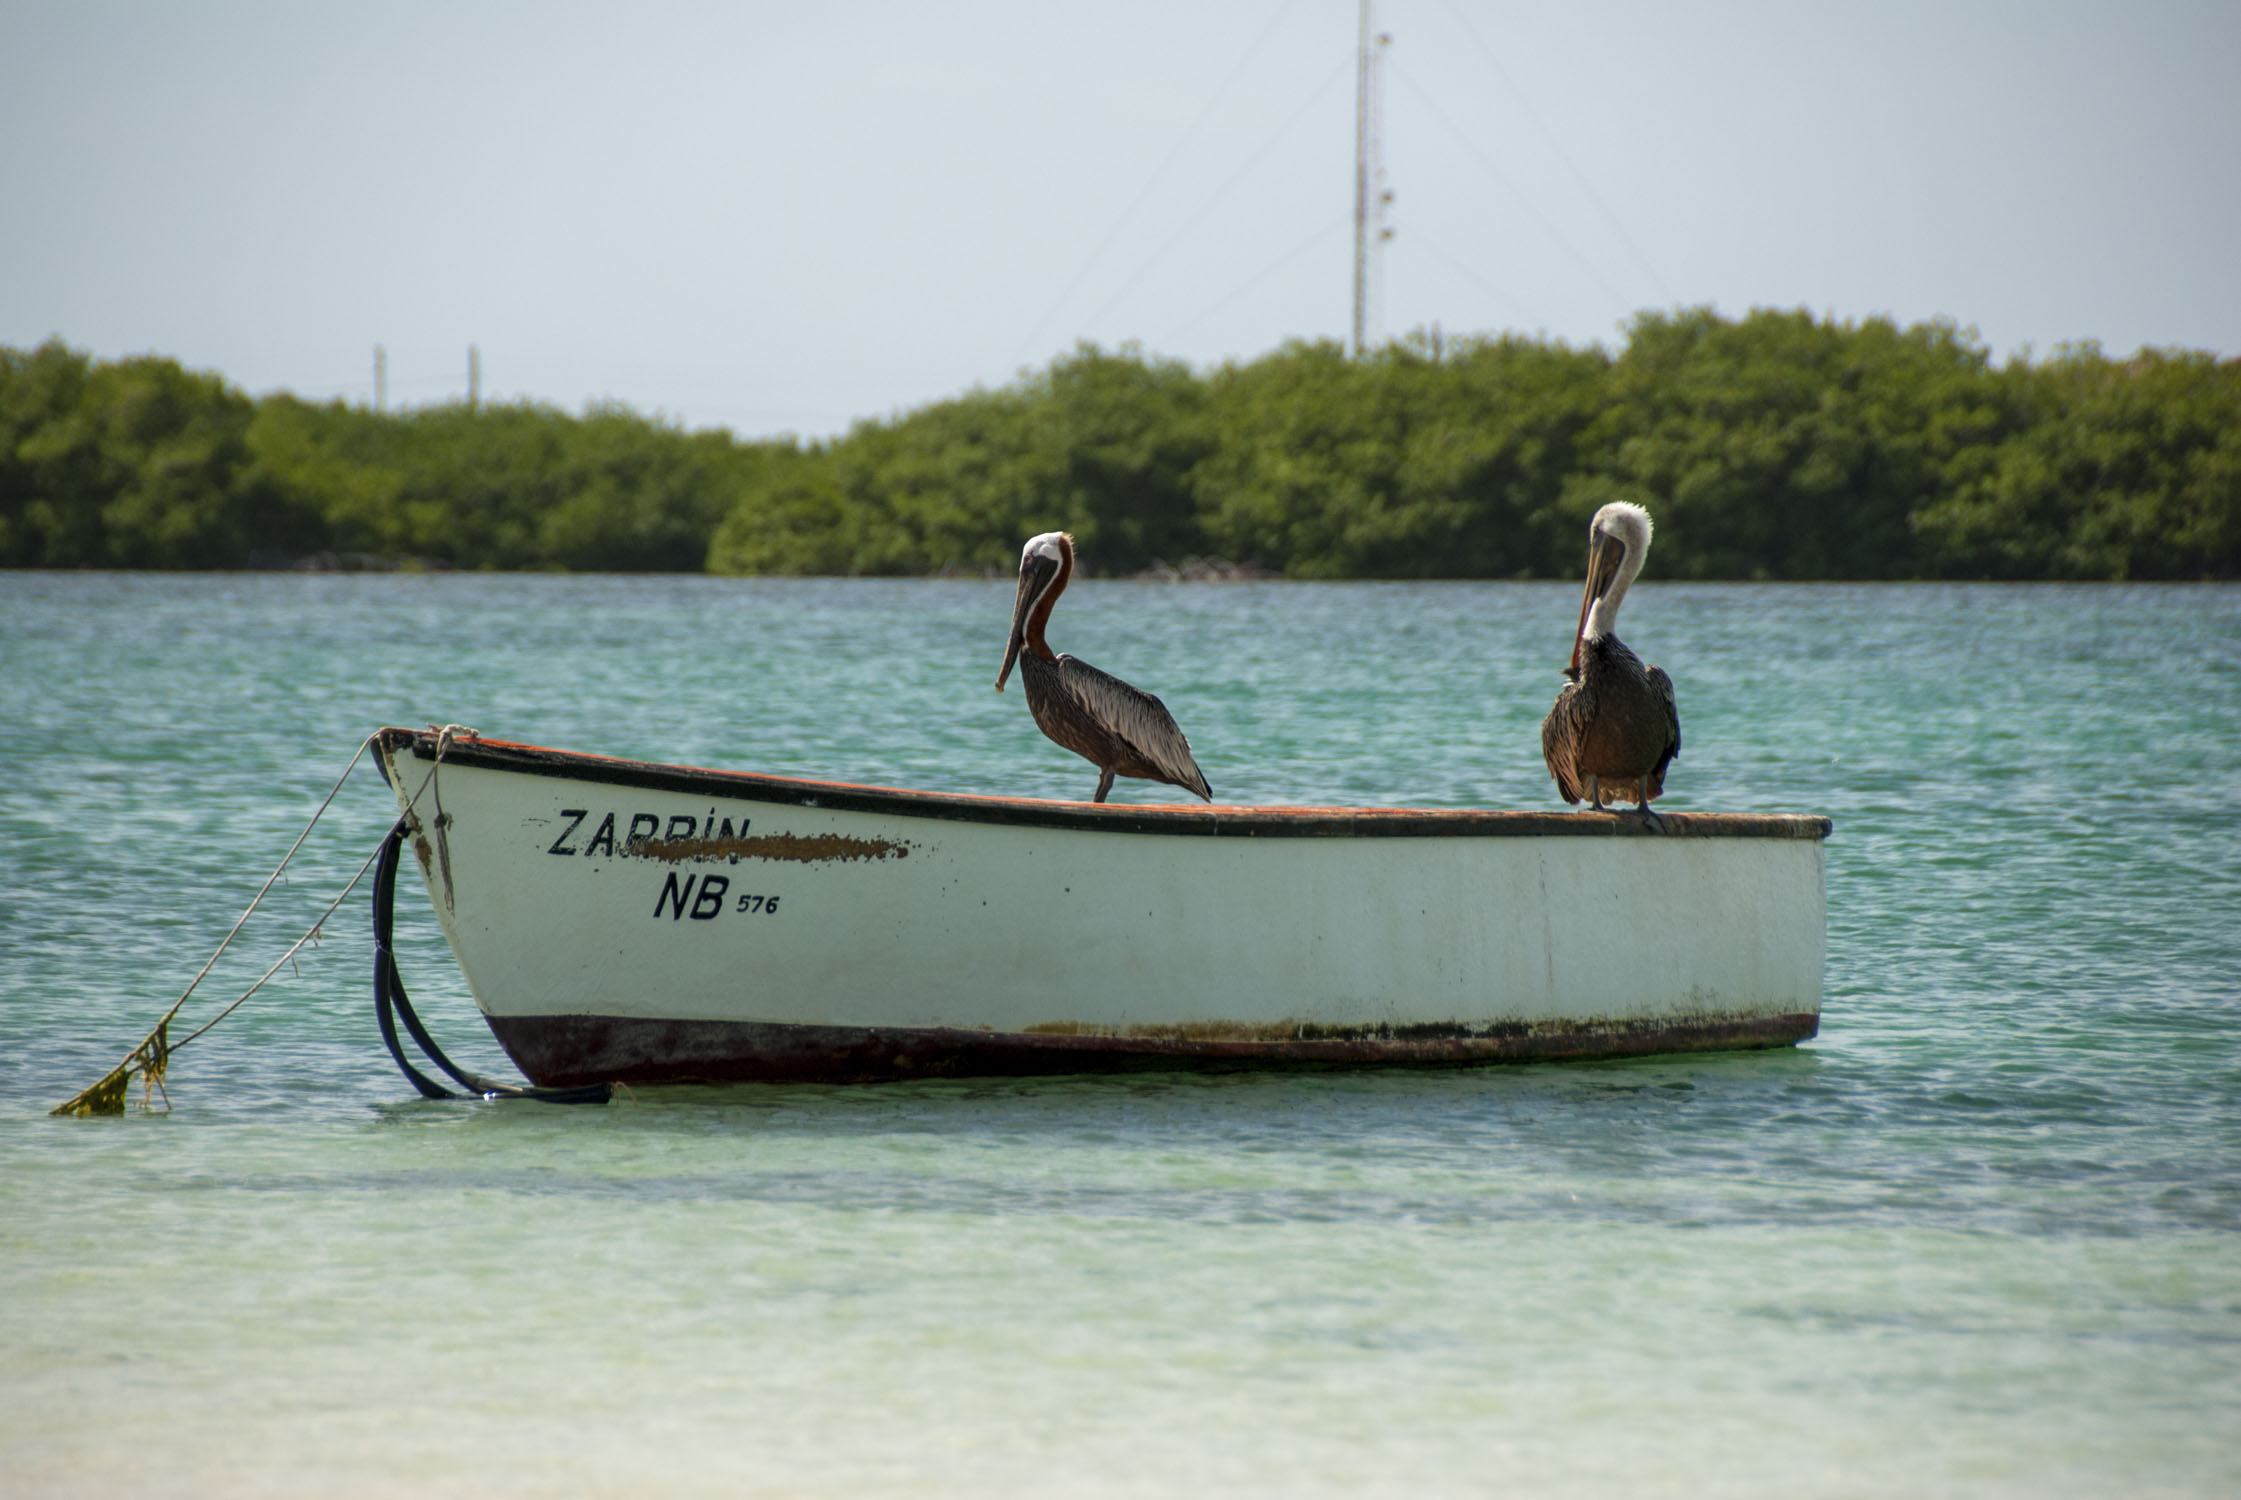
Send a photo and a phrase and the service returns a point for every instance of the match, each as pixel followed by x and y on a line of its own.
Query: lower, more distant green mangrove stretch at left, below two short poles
pixel 147 465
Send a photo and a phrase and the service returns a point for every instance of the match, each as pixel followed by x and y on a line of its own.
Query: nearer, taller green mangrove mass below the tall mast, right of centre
pixel 1769 447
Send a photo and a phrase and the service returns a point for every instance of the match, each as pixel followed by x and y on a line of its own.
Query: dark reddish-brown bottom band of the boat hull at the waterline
pixel 564 1050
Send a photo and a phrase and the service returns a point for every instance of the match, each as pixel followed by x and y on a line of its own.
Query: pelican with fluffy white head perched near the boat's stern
pixel 1615 725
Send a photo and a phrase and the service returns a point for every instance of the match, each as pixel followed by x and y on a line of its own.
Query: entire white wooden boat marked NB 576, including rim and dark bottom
pixel 638 923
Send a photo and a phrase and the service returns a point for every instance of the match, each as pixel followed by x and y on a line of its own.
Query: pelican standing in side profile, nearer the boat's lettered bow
pixel 1095 714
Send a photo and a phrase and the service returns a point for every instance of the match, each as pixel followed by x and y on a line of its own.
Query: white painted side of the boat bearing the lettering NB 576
pixel 877 918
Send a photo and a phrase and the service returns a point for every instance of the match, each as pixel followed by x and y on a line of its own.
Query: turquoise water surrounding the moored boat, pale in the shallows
pixel 1984 1237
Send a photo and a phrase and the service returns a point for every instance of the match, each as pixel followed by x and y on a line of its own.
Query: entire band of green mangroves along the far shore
pixel 1769 447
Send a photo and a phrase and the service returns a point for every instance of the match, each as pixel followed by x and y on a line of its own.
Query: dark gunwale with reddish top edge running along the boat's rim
pixel 1184 820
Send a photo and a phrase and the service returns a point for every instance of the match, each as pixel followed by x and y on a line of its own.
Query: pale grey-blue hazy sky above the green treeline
pixel 790 219
